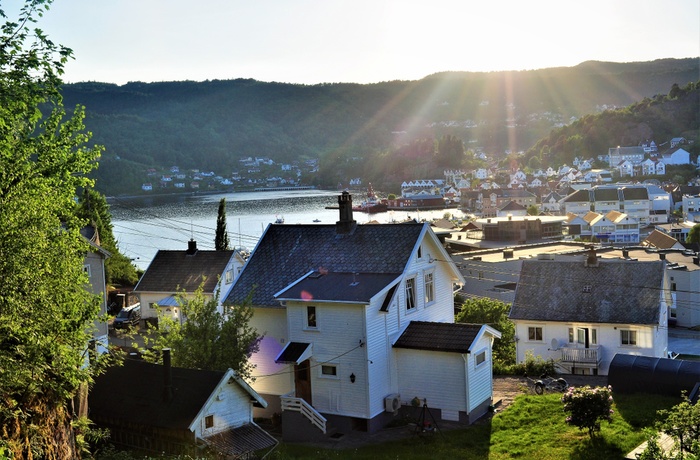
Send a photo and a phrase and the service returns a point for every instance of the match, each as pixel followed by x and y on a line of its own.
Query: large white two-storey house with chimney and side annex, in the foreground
pixel 342 308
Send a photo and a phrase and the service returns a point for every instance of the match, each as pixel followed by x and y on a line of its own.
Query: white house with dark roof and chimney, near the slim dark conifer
pixel 182 272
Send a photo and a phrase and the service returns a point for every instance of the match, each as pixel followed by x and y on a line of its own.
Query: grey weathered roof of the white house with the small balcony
pixel 616 291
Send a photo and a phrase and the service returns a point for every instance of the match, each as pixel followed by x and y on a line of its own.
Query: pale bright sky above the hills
pixel 358 41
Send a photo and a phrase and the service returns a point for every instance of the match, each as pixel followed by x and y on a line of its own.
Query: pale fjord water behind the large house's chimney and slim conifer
pixel 144 225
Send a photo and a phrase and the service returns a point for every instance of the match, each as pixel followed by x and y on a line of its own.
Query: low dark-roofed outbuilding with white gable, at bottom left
pixel 158 408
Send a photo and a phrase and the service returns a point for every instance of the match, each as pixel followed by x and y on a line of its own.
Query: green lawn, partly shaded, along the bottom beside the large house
pixel 532 427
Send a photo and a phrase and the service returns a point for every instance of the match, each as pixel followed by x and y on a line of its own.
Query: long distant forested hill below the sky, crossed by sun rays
pixel 211 124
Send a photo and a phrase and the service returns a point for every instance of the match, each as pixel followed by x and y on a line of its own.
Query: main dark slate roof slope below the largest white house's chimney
pixel 285 253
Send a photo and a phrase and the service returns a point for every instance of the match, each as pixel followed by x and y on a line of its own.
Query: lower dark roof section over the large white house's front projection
pixel 339 287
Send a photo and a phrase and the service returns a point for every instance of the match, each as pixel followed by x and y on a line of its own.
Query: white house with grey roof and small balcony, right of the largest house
pixel 583 310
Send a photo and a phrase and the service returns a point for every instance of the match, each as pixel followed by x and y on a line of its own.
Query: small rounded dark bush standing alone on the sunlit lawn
pixel 588 406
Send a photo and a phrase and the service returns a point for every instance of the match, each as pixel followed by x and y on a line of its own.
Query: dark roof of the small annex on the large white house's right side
pixel 447 337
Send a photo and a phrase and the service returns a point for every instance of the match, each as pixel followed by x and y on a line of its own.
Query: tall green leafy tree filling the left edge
pixel 44 311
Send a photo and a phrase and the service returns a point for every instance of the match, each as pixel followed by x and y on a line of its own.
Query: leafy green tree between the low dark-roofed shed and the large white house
pixel 207 339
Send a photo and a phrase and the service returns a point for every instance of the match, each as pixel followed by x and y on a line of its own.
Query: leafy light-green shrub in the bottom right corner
pixel 682 422
